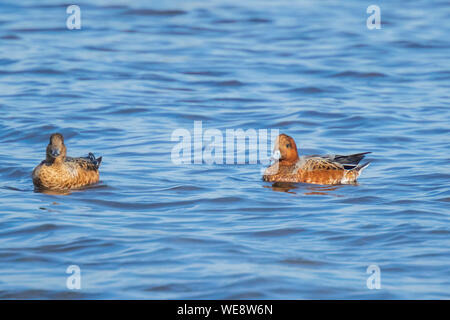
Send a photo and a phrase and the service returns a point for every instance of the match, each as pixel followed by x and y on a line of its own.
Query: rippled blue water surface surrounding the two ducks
pixel 155 230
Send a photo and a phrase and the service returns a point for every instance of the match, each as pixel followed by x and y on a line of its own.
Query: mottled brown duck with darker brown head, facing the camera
pixel 60 172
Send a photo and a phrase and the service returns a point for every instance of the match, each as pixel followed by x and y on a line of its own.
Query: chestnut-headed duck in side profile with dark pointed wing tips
pixel 329 169
